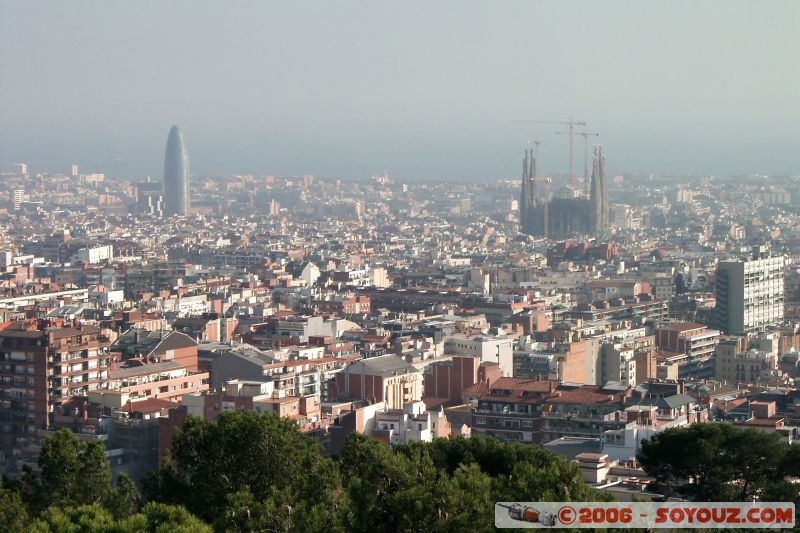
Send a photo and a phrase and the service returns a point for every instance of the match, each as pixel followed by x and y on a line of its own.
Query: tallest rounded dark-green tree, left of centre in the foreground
pixel 210 461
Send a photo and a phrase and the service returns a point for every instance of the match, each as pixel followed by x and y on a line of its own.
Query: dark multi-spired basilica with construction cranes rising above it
pixel 562 217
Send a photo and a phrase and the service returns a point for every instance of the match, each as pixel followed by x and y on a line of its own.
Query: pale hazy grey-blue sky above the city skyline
pixel 422 89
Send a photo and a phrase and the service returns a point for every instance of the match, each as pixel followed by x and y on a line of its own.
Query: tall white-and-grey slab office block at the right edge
pixel 749 293
